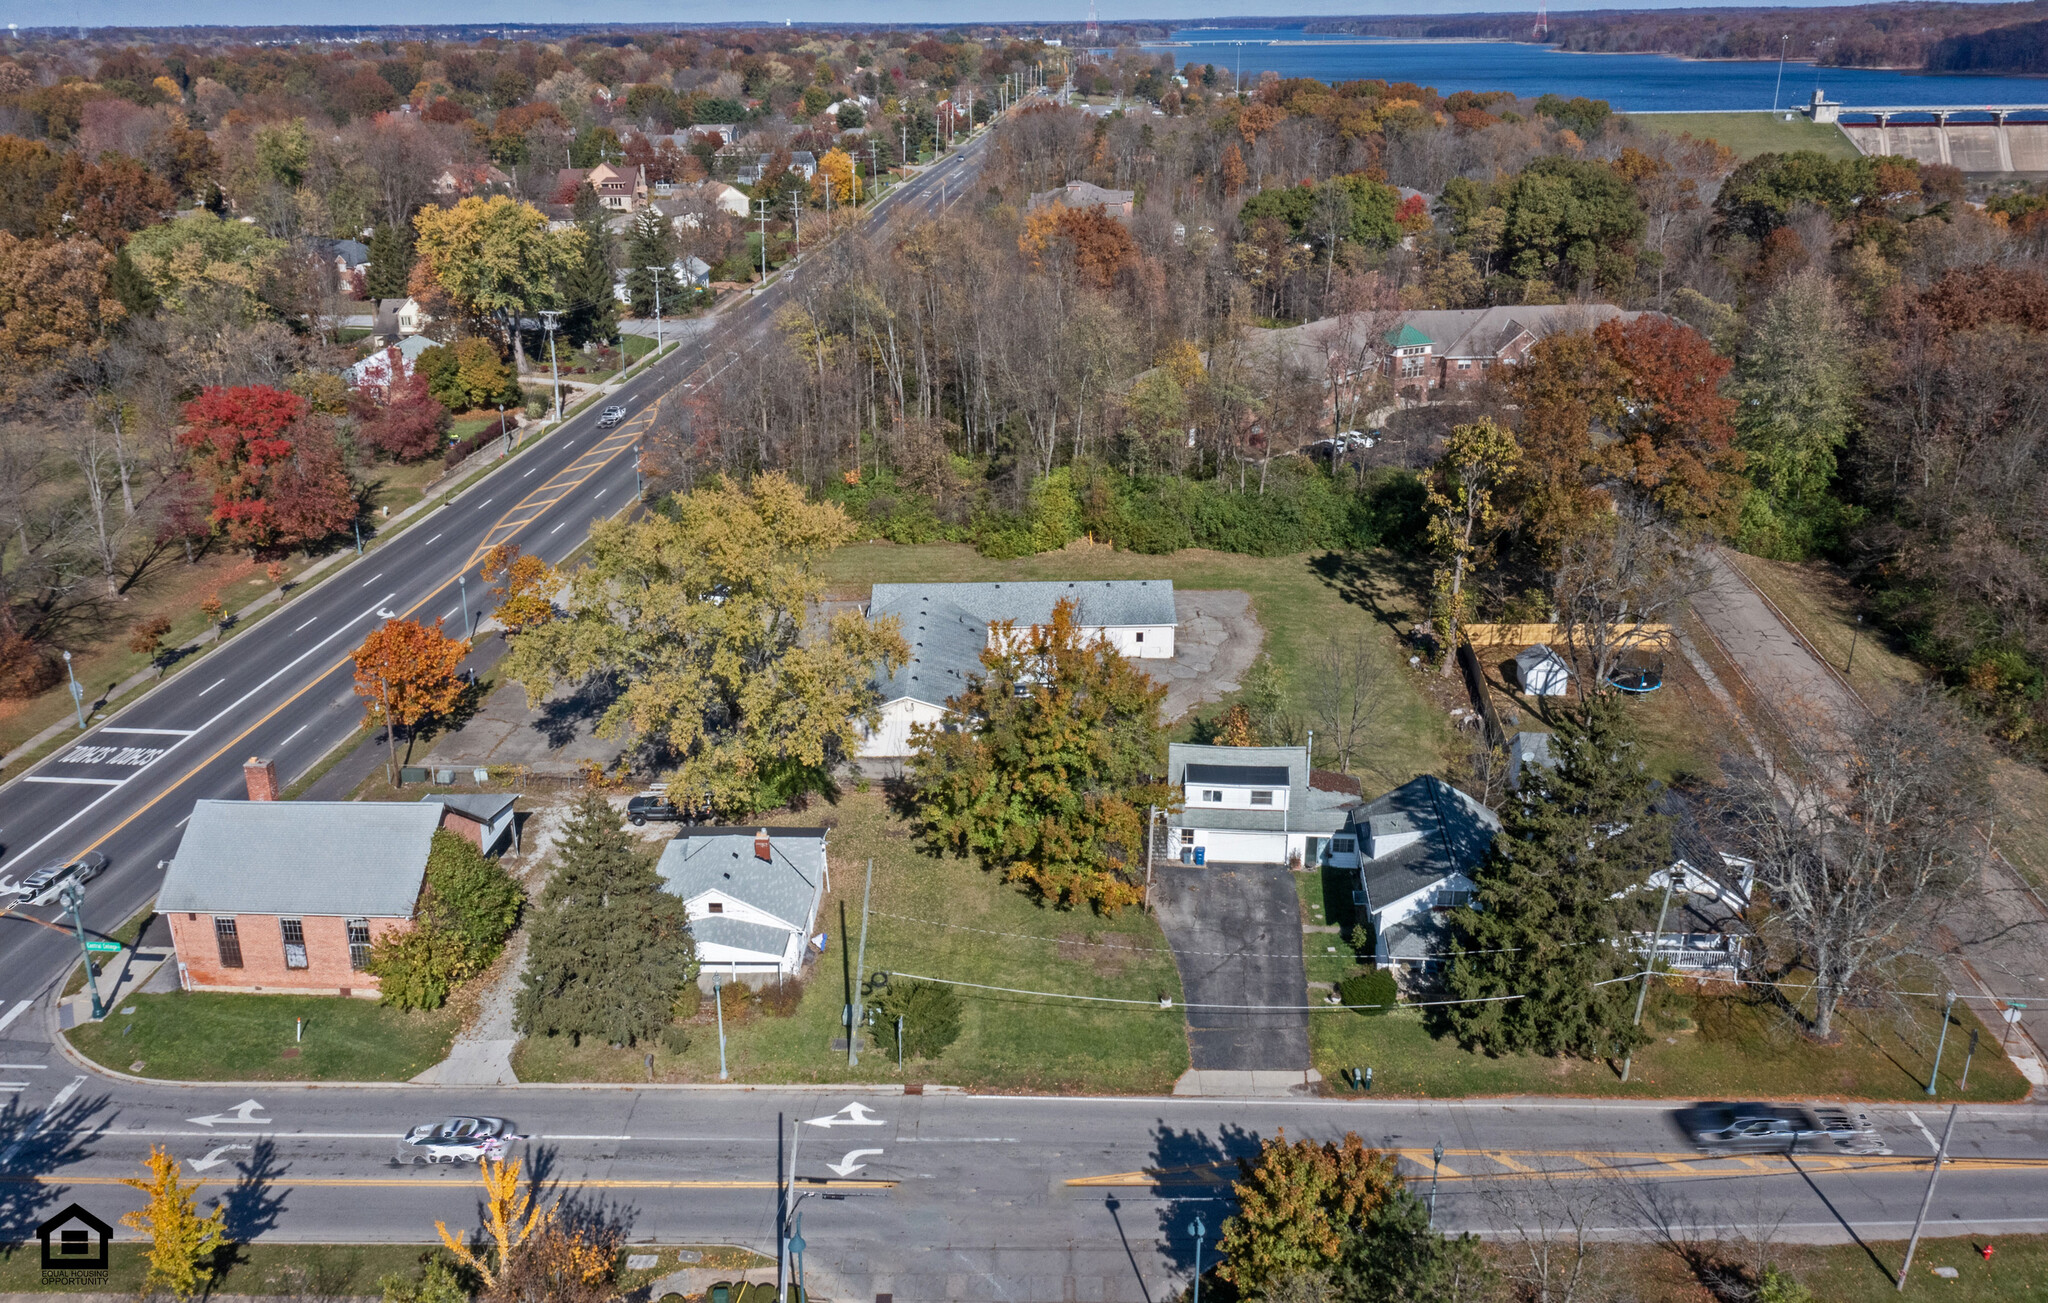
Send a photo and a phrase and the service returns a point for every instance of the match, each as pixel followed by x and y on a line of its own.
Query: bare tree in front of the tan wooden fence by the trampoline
pixel 1621 581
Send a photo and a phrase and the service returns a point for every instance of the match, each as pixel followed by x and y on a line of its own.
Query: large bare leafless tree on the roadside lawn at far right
pixel 1867 849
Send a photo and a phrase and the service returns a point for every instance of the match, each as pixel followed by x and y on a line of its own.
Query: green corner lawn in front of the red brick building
pixel 228 1038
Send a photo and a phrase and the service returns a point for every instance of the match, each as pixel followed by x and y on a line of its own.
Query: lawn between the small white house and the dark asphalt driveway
pixel 941 919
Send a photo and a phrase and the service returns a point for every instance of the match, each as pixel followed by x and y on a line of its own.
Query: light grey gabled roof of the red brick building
pixel 357 859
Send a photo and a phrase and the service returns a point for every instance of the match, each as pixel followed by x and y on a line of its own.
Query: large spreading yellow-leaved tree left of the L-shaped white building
pixel 699 612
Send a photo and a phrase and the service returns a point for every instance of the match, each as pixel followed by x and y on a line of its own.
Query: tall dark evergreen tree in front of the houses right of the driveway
pixel 1545 919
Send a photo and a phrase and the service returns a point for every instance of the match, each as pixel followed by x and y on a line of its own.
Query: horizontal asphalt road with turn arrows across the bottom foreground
pixel 964 1197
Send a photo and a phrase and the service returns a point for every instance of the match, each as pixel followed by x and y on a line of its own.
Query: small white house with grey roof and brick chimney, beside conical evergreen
pixel 753 896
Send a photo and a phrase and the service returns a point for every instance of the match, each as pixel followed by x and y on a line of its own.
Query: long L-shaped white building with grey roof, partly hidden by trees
pixel 949 626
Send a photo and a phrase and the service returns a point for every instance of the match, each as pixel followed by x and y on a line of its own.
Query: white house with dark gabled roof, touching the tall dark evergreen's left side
pixel 1422 845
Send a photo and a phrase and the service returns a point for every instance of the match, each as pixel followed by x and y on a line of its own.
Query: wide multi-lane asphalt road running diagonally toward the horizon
pixel 286 691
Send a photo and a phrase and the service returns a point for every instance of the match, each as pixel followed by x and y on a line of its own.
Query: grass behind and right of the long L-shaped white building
pixel 1299 601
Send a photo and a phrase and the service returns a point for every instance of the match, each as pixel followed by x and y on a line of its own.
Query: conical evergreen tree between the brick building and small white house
pixel 611 950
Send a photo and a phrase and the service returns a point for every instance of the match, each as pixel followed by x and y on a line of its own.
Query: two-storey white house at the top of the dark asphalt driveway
pixel 1258 806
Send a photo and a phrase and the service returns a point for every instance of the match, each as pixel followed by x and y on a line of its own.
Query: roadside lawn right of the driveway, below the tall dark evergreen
pixel 1705 1046
